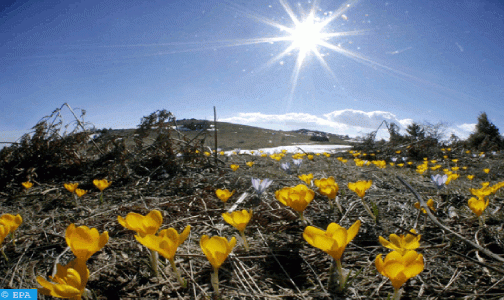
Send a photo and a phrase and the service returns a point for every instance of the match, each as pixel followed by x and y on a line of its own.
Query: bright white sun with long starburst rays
pixel 306 23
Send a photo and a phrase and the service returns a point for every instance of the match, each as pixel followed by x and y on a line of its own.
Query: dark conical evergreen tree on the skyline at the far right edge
pixel 486 135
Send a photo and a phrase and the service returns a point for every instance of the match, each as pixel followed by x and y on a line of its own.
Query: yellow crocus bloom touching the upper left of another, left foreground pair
pixel 143 225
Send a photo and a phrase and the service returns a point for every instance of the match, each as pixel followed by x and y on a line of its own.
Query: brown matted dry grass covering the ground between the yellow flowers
pixel 280 264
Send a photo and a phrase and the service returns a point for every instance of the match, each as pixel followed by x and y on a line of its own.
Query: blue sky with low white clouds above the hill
pixel 400 61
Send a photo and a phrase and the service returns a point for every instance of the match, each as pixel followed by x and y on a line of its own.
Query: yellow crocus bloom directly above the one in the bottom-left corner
pixel 85 241
